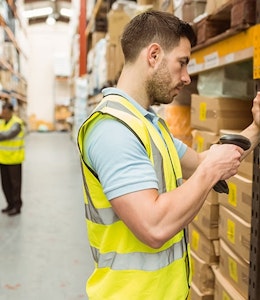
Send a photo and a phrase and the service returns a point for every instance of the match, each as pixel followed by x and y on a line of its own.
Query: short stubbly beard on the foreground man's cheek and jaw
pixel 159 87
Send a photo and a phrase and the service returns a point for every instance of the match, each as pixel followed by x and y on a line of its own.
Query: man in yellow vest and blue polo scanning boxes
pixel 137 207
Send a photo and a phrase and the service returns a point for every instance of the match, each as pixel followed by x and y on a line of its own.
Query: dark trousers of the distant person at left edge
pixel 11 178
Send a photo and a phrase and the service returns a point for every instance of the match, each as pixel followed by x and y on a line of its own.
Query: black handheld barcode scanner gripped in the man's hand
pixel 235 139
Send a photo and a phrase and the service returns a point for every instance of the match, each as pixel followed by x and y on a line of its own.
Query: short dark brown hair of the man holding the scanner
pixel 154 26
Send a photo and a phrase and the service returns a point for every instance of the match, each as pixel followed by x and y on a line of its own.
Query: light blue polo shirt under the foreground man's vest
pixel 118 157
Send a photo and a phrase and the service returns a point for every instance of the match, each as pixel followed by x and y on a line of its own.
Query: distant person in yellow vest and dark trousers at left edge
pixel 11 157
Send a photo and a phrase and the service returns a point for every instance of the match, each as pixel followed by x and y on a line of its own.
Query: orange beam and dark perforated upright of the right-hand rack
pixel 231 47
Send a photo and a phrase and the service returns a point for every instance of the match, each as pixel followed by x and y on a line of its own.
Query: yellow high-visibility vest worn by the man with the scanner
pixel 126 268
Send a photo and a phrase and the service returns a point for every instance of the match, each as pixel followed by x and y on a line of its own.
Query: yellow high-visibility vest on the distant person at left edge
pixel 12 151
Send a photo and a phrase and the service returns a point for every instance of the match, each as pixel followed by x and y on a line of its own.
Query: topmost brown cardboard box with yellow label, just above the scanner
pixel 213 114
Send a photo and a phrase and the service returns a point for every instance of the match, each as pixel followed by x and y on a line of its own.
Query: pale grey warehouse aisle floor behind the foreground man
pixel 44 252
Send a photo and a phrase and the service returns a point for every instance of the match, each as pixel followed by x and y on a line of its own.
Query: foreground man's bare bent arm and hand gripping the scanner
pixel 154 218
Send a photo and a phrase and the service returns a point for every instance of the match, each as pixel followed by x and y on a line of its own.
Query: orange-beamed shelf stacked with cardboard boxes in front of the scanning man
pixel 219 109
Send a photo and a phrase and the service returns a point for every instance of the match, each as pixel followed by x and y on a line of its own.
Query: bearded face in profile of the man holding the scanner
pixel 171 75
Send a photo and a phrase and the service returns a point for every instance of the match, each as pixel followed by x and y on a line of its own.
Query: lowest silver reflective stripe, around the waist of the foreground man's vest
pixel 142 261
